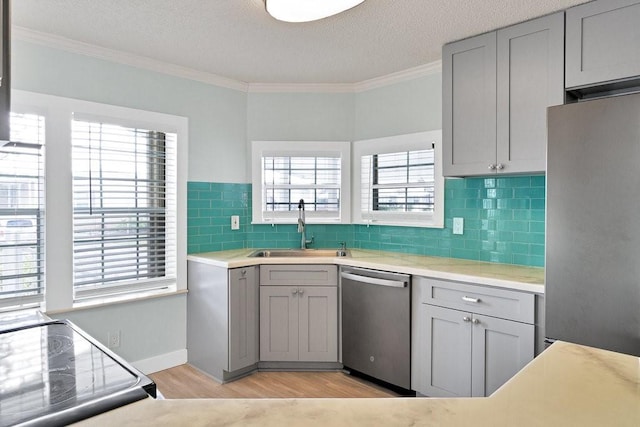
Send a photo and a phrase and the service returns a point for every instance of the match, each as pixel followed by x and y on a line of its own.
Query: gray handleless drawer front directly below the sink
pixel 299 275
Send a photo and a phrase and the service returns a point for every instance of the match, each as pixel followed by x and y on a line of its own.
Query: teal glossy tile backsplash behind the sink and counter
pixel 503 222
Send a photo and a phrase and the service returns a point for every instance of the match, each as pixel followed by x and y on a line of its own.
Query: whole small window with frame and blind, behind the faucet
pixel 286 172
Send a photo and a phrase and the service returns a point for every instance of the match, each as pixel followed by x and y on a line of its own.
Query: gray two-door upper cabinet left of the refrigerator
pixel 496 89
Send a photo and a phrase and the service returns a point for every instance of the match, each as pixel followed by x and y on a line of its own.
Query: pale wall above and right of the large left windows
pixel 217 116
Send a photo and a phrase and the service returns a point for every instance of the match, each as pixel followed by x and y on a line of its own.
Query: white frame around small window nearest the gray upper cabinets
pixel 394 144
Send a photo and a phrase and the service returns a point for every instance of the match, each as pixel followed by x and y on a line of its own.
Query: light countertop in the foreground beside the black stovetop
pixel 567 385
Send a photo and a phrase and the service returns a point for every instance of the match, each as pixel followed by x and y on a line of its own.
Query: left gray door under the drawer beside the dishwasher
pixel 447 361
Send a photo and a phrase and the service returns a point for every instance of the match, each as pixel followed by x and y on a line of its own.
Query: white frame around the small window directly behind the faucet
pixel 339 149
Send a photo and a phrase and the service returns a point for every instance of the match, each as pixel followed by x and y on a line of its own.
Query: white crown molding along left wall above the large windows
pixel 73 46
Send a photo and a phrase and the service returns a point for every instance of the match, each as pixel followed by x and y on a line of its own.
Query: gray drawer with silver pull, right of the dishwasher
pixel 502 303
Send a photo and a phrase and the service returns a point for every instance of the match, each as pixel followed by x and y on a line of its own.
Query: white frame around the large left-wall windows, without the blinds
pixel 58 113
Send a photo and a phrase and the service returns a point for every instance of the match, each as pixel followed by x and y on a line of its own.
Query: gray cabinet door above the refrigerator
pixel 602 42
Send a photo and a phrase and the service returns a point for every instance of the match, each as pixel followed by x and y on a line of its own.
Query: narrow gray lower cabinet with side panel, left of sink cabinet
pixel 222 319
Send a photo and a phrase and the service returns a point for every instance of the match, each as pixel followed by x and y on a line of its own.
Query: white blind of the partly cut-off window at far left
pixel 22 213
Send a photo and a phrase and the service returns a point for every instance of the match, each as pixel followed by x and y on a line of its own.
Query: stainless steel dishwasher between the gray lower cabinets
pixel 376 324
